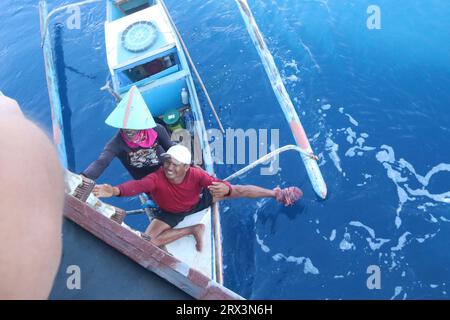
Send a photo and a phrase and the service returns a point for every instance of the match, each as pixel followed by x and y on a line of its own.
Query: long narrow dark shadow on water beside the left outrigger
pixel 62 83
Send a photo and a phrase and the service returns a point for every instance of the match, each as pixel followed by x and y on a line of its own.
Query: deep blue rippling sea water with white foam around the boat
pixel 373 102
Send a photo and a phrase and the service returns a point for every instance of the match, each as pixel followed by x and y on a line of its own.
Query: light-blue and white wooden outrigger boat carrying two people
pixel 137 33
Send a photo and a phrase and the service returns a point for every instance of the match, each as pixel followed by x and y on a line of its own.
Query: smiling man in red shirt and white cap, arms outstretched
pixel 180 190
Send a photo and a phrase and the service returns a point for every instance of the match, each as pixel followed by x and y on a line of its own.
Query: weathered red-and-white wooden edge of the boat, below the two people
pixel 145 253
